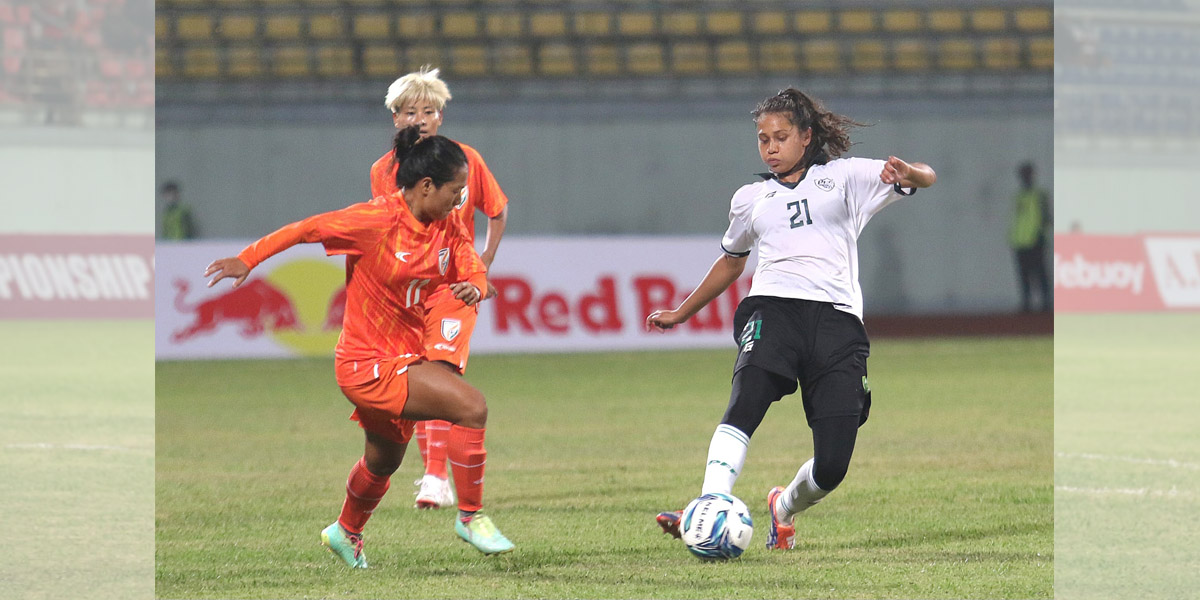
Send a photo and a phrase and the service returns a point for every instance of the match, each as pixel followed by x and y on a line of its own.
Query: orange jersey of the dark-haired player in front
pixel 398 263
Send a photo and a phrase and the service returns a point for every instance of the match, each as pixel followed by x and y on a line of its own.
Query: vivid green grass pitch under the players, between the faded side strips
pixel 950 495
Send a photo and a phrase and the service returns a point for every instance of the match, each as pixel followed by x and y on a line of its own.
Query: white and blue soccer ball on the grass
pixel 717 527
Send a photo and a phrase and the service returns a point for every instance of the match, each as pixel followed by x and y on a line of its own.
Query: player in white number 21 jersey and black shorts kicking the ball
pixel 802 321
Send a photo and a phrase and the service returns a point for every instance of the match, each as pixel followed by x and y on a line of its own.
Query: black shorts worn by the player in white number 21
pixel 821 349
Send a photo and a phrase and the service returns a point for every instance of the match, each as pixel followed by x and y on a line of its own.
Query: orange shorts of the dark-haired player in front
pixel 380 403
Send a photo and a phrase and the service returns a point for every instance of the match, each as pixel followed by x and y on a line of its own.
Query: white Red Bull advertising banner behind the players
pixel 556 295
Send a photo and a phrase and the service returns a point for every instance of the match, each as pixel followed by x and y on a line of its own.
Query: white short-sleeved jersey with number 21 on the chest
pixel 808 236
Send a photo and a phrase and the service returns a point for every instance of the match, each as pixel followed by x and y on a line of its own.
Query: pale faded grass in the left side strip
pixel 77 460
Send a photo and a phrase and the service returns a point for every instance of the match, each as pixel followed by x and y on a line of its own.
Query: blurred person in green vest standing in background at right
pixel 1028 237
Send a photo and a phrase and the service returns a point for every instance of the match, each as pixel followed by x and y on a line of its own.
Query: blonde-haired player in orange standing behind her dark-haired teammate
pixel 419 99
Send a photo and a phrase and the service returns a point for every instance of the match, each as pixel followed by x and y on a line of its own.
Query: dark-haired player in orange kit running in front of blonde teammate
pixel 401 250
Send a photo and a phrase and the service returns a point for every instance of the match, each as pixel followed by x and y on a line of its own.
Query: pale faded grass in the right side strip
pixel 1127 446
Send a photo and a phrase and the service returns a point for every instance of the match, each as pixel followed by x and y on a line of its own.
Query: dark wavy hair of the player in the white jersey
pixel 831 131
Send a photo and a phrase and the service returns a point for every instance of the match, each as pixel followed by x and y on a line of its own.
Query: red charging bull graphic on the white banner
pixel 255 308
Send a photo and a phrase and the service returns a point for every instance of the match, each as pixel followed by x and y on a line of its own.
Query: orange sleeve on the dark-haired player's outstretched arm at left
pixel 343 232
